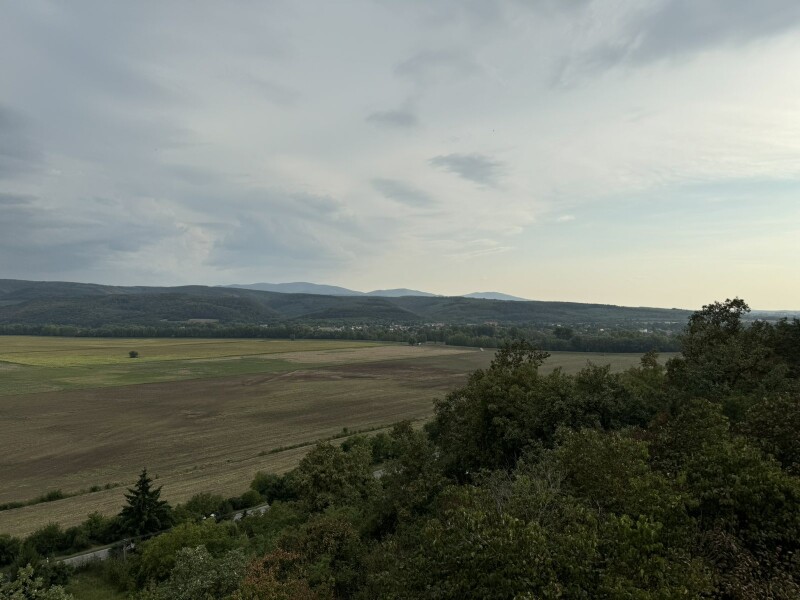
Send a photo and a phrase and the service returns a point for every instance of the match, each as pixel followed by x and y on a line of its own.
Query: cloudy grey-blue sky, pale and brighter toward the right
pixel 614 151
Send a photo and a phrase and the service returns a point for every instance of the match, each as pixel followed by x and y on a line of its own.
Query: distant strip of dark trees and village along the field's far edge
pixel 554 338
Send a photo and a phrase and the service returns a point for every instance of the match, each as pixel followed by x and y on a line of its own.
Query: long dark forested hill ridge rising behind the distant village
pixel 95 306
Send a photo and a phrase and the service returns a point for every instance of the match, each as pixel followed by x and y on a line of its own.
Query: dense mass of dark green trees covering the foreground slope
pixel 660 482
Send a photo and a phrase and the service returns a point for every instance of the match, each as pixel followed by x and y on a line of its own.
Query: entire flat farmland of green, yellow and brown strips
pixel 202 415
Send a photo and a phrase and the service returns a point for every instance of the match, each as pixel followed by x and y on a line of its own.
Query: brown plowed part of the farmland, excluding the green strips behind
pixel 213 434
